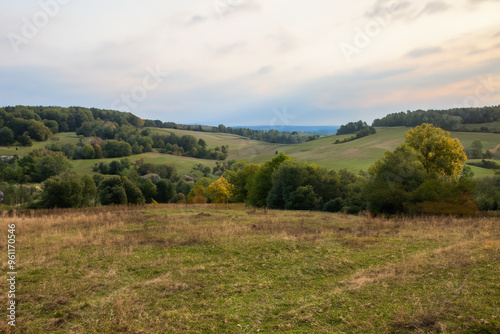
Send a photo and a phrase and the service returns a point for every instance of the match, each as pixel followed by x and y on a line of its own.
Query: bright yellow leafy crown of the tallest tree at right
pixel 439 153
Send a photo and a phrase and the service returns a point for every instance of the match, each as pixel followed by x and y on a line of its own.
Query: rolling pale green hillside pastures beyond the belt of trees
pixel 354 156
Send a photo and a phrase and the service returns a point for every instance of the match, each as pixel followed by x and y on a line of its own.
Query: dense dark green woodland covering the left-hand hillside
pixel 108 133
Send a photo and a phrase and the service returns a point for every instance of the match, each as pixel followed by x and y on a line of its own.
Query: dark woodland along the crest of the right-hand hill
pixel 452 119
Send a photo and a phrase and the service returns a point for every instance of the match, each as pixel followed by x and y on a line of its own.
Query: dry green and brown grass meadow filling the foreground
pixel 210 269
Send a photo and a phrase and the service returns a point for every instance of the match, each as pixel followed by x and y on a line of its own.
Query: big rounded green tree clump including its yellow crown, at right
pixel 423 175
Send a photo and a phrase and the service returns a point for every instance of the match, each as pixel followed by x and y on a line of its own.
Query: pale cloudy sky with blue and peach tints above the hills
pixel 251 62
